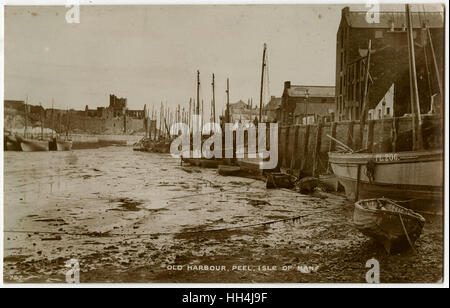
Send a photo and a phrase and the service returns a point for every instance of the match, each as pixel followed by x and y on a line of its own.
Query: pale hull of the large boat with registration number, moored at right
pixel 400 176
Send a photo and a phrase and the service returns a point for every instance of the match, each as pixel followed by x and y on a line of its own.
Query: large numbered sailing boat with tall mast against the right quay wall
pixel 414 174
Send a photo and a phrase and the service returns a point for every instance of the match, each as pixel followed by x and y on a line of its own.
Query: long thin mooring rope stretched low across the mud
pixel 108 234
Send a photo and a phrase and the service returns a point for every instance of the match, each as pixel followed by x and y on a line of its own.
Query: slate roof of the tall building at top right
pixel 431 19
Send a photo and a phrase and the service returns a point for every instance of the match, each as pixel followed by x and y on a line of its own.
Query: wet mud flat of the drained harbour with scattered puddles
pixel 140 217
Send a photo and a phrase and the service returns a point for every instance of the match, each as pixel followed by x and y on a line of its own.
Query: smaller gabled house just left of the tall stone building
pixel 307 104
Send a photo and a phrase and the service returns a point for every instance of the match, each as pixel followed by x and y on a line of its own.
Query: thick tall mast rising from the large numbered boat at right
pixel 414 92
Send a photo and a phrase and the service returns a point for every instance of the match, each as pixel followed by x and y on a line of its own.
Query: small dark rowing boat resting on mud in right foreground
pixel 390 224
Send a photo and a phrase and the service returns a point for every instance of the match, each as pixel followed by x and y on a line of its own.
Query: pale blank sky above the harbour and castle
pixel 150 54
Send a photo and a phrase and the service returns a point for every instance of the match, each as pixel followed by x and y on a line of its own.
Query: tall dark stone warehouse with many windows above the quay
pixel 388 62
